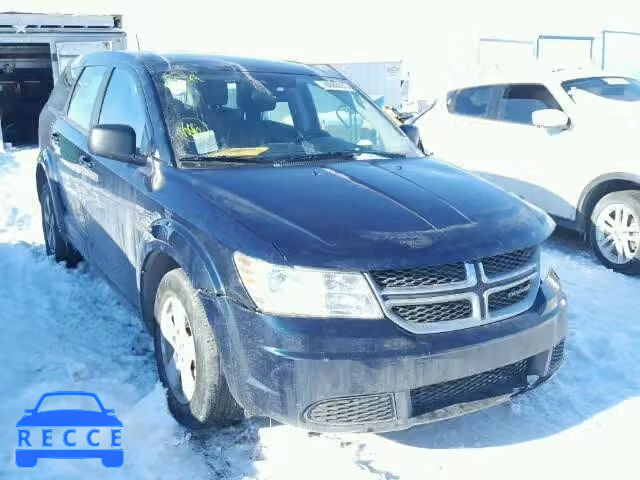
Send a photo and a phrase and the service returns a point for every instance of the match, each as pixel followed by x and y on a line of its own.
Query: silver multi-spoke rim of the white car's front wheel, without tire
pixel 618 233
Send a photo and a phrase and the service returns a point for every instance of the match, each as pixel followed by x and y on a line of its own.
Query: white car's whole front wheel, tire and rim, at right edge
pixel 614 231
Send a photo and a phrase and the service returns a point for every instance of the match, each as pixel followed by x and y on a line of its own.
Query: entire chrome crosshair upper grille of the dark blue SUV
pixel 459 295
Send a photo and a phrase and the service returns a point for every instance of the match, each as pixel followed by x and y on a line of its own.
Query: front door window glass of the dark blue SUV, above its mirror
pixel 123 104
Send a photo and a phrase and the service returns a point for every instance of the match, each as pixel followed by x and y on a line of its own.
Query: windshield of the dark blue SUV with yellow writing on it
pixel 236 115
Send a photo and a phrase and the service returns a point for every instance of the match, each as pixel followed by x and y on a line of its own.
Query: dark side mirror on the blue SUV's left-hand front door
pixel 115 141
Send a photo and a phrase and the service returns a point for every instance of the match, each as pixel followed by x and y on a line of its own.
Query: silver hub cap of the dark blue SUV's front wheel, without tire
pixel 178 349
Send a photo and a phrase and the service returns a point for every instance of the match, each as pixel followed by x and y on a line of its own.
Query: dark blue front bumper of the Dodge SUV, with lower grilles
pixel 371 375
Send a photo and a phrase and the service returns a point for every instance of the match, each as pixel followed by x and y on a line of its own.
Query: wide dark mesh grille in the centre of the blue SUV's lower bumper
pixel 500 381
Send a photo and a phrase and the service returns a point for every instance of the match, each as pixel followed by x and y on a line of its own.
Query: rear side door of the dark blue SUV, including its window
pixel 69 139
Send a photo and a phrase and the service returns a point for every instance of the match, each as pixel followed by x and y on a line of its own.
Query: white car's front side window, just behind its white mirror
pixel 518 102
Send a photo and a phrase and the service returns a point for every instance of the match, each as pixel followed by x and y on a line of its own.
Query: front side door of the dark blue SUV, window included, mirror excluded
pixel 111 211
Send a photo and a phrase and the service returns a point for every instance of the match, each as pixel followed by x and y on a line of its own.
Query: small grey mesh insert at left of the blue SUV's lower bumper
pixel 353 410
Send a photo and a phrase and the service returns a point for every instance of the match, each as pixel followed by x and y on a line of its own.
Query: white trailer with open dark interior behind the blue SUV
pixel 34 49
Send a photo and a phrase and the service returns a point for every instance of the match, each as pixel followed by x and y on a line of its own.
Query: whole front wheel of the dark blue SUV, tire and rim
pixel 204 400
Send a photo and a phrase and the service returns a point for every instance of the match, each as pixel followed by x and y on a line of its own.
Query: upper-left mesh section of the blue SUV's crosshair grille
pixel 420 277
